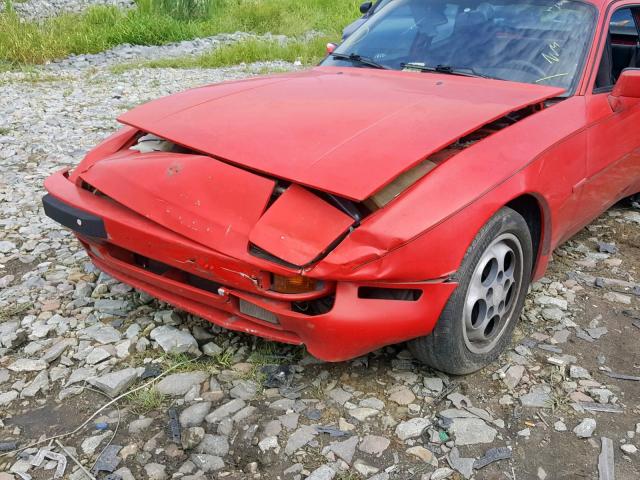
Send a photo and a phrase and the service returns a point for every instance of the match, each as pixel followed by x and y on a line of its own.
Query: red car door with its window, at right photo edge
pixel 613 137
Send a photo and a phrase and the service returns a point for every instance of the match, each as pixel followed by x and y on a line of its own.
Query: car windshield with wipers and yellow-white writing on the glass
pixel 531 41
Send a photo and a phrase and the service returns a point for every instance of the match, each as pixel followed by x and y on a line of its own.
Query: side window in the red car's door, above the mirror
pixel 621 49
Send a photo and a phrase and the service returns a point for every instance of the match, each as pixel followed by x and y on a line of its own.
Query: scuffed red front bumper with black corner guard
pixel 117 238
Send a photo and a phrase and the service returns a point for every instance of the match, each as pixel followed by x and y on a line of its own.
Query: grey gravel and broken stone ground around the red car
pixel 71 336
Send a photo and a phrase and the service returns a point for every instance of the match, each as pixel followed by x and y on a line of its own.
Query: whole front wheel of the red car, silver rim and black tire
pixel 467 336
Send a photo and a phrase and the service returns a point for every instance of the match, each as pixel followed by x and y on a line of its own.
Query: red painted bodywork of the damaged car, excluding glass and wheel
pixel 347 132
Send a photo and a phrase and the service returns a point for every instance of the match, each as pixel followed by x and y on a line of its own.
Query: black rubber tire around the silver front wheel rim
pixel 448 347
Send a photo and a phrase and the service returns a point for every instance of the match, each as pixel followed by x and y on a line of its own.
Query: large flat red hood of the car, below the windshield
pixel 346 131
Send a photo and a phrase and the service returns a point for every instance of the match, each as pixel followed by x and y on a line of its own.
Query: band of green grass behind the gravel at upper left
pixel 103 27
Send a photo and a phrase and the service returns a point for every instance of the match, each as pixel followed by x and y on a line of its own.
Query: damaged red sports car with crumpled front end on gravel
pixel 408 188
